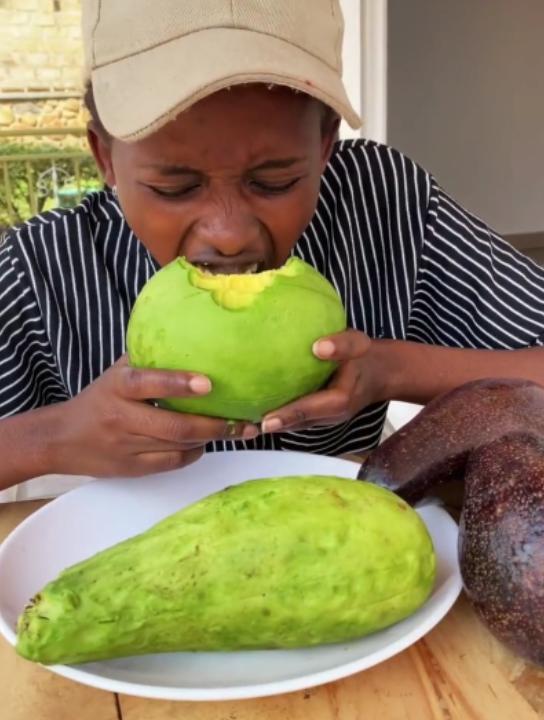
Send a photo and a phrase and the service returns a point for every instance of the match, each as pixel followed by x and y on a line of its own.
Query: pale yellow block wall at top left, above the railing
pixel 40 45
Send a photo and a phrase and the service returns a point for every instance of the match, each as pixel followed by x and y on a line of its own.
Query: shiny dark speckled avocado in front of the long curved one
pixel 501 541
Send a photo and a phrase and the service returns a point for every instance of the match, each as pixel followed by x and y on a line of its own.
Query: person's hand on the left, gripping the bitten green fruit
pixel 109 430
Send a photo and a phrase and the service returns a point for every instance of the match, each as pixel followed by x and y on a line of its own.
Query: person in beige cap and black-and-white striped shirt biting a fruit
pixel 215 126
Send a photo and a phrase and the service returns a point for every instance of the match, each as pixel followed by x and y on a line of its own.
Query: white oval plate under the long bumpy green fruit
pixel 102 513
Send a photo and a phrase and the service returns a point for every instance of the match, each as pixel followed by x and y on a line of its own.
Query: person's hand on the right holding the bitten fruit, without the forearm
pixel 353 386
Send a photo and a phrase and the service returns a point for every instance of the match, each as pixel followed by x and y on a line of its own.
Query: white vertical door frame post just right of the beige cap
pixel 365 65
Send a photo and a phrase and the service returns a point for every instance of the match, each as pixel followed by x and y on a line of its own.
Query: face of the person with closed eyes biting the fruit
pixel 232 182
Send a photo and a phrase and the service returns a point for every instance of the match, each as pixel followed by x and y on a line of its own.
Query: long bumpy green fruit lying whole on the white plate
pixel 268 564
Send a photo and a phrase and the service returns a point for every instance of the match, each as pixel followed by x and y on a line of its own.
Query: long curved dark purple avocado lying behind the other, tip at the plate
pixel 434 447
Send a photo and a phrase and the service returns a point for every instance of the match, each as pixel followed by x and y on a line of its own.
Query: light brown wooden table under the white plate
pixel 457 672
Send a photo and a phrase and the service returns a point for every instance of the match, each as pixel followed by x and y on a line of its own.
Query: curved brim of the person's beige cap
pixel 138 95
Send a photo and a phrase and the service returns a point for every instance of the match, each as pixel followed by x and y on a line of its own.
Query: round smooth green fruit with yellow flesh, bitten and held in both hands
pixel 251 335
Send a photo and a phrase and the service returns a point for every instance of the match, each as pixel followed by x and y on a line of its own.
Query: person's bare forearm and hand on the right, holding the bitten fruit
pixel 373 371
